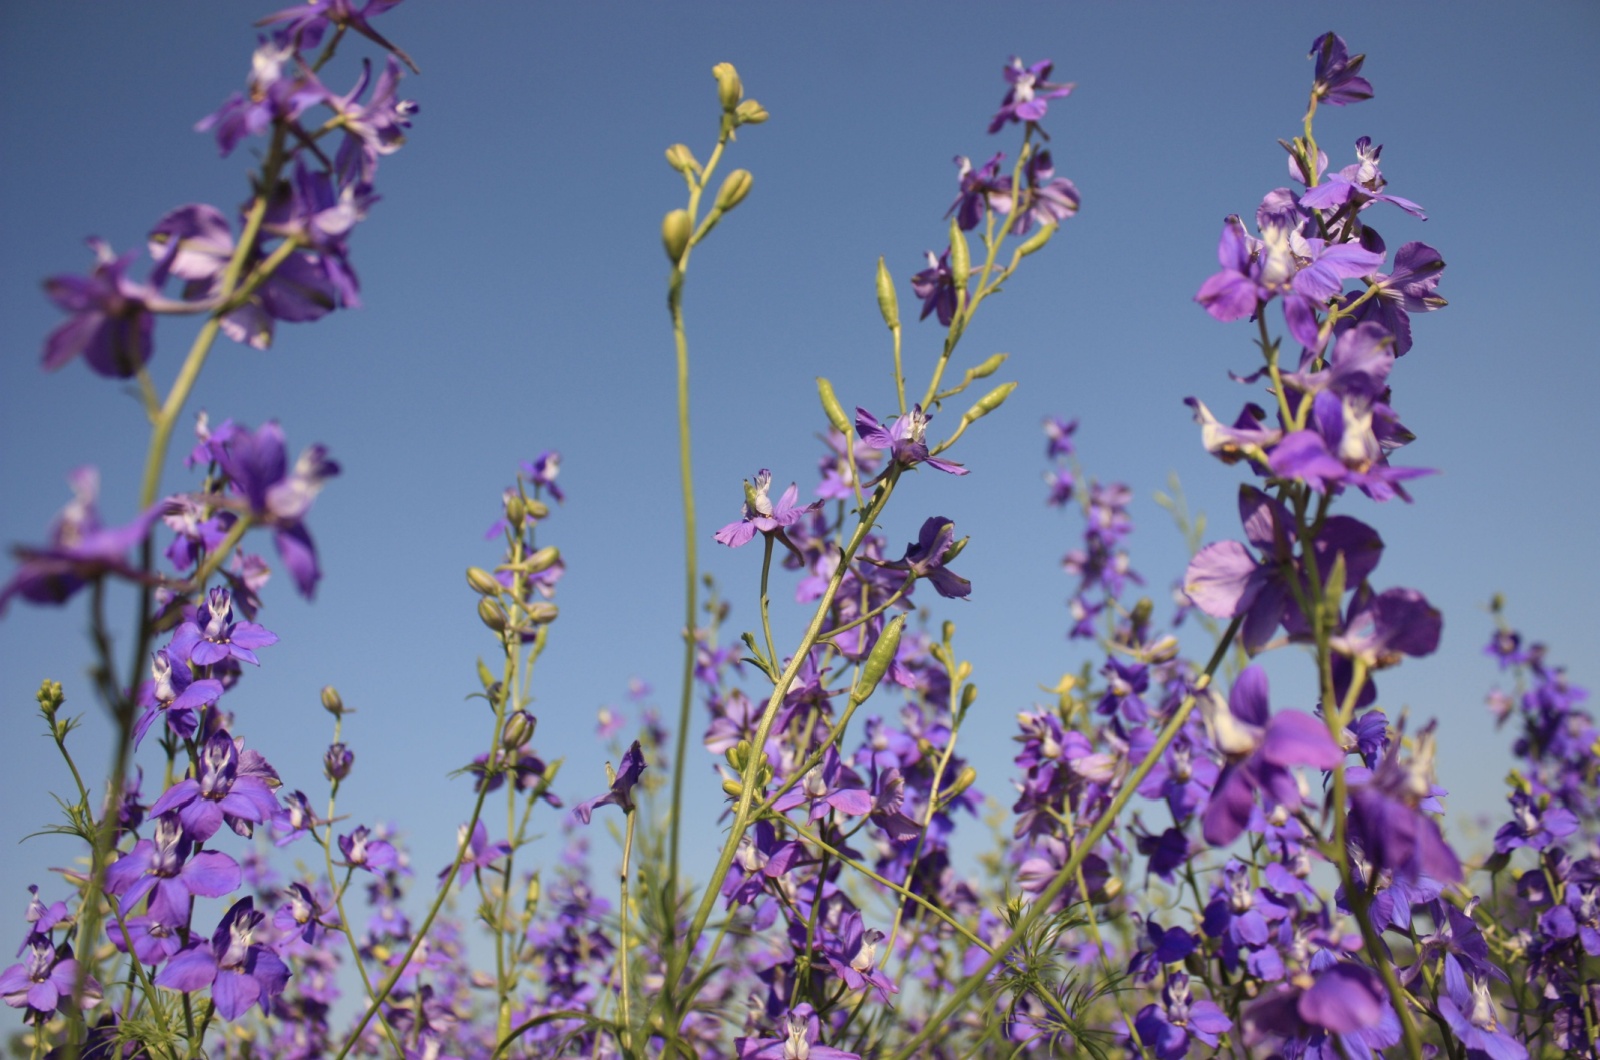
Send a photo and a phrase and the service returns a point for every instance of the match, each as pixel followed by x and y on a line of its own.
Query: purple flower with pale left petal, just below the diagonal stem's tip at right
pixel 1262 750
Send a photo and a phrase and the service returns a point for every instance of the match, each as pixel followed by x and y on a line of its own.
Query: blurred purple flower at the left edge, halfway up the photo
pixel 81 550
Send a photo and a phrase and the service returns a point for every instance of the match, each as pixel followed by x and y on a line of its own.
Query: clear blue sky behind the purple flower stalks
pixel 514 291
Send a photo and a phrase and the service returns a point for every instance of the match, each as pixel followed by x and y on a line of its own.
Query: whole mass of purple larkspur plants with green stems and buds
pixel 1183 870
